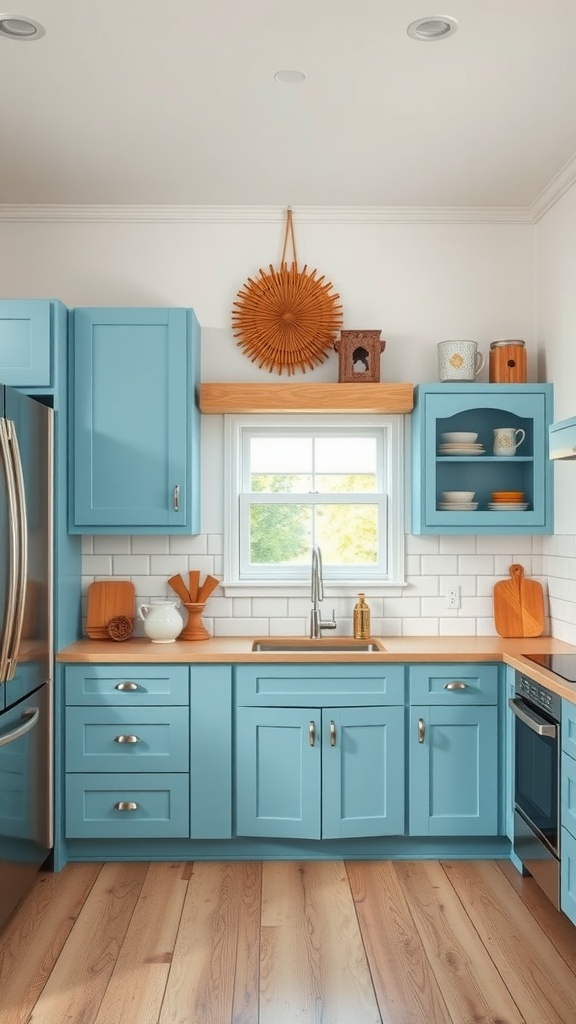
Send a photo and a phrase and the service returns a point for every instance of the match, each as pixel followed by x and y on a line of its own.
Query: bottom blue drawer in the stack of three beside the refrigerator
pixel 161 806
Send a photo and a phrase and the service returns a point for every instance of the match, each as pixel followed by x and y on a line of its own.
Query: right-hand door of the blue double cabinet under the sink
pixel 363 773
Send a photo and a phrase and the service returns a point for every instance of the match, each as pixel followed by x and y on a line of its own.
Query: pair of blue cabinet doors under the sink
pixel 312 774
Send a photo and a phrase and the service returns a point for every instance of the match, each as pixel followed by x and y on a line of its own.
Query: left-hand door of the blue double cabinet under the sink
pixel 278 773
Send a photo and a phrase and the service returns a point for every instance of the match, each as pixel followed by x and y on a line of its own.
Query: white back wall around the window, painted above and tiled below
pixel 419 283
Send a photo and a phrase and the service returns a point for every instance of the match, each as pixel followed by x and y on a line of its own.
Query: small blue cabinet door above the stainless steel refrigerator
pixel 26 344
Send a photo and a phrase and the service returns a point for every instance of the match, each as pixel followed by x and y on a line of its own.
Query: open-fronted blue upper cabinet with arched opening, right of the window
pixel 480 409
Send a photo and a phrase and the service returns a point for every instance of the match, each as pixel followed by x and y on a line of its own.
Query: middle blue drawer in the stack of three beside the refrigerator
pixel 128 740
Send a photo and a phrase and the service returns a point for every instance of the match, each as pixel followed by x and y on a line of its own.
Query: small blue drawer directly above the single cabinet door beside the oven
pixel 434 685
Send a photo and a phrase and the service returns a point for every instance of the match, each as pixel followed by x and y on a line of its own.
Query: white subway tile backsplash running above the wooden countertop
pixel 433 564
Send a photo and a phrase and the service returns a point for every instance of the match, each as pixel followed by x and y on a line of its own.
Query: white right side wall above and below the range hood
pixel 556 287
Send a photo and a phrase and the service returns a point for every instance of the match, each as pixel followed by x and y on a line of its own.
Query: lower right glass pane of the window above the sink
pixel 348 534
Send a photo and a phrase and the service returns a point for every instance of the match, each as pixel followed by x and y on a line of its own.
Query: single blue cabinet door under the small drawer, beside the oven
pixel 454 772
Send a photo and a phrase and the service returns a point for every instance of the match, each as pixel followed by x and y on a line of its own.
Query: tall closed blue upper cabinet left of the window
pixel 136 424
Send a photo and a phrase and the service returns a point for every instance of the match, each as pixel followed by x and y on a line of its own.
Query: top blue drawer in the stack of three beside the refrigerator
pixel 130 685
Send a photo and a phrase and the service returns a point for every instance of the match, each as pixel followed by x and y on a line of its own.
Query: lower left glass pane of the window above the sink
pixel 280 535
